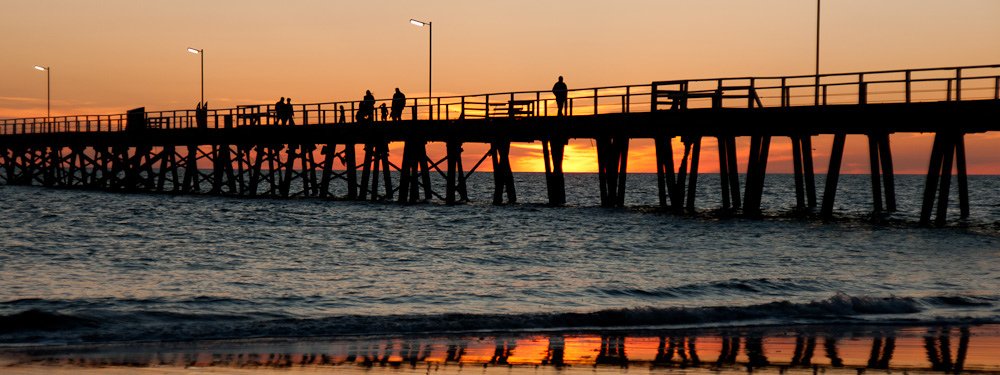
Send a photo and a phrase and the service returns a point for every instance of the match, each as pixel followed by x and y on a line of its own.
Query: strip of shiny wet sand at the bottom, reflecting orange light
pixel 796 349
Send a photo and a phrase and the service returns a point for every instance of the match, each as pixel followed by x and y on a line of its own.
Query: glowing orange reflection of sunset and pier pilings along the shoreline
pixel 930 349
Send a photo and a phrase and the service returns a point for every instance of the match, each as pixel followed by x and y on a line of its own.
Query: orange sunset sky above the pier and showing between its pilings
pixel 111 55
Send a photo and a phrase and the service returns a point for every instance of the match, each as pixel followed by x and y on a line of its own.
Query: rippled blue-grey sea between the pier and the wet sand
pixel 82 266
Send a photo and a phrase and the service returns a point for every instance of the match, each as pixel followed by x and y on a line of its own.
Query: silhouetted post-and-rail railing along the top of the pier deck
pixel 979 82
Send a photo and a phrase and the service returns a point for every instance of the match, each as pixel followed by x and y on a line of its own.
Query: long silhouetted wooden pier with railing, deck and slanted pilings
pixel 244 152
